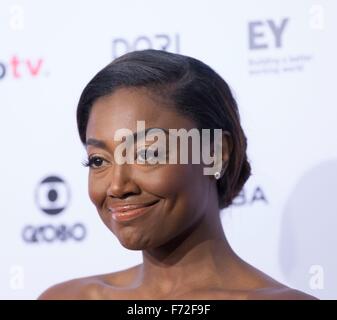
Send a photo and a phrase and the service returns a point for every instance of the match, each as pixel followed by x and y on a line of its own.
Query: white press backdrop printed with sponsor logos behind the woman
pixel 279 57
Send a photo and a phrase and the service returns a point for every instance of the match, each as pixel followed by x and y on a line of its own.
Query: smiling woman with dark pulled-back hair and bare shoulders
pixel 169 211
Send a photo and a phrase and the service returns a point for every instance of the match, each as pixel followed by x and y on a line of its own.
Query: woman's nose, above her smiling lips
pixel 121 184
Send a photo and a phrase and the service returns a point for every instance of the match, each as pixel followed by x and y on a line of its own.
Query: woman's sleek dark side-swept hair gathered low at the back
pixel 192 87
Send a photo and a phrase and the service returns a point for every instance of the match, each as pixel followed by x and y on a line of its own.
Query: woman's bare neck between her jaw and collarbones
pixel 196 259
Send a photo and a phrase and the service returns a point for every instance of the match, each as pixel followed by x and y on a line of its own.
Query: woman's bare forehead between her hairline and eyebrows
pixel 125 107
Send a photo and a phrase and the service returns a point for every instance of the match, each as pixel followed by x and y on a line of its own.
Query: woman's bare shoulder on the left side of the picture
pixel 89 288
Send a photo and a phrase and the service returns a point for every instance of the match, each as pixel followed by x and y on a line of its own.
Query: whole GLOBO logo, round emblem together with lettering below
pixel 52 197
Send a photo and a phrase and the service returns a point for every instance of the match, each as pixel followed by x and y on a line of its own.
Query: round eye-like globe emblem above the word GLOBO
pixel 52 195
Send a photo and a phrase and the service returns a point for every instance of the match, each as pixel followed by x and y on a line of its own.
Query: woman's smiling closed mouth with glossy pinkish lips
pixel 131 211
